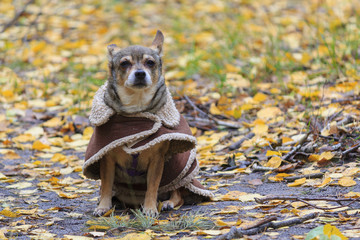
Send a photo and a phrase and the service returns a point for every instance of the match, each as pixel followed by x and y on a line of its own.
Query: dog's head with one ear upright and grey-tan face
pixel 136 67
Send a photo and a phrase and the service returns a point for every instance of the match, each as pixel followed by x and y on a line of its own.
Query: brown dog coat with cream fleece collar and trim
pixel 136 133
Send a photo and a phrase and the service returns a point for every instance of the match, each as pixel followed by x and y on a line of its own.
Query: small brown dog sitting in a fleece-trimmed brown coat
pixel 142 148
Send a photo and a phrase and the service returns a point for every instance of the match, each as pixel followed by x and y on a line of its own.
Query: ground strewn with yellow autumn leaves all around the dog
pixel 270 89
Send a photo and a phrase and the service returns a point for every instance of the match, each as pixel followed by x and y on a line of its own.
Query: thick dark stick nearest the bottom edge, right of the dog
pixel 238 232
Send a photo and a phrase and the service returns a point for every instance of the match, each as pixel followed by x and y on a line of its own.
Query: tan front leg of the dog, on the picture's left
pixel 107 174
